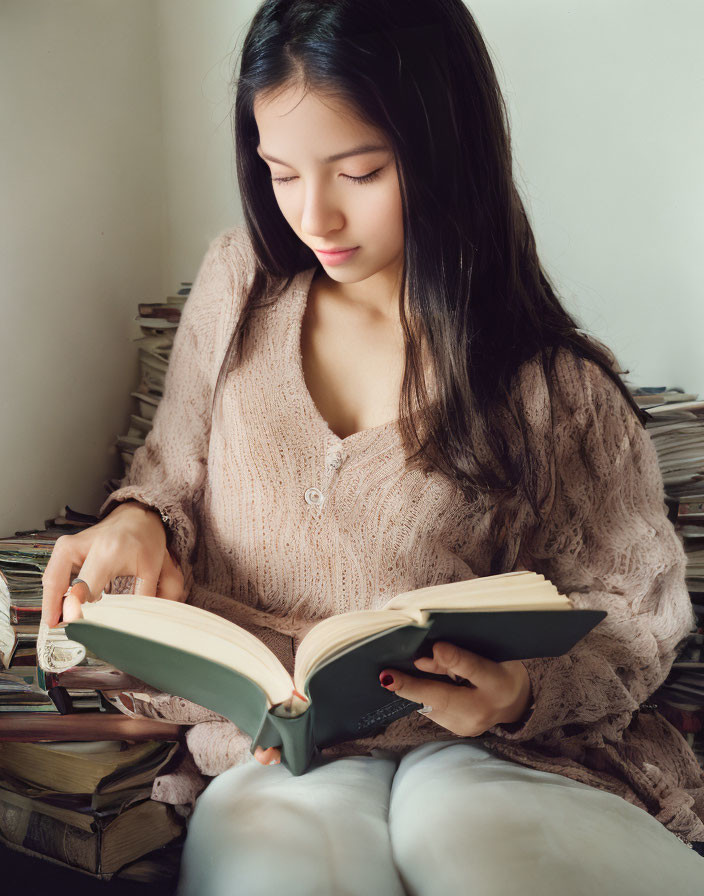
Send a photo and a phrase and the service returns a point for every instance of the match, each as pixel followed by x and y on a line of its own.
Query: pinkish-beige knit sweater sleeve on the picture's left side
pixel 168 471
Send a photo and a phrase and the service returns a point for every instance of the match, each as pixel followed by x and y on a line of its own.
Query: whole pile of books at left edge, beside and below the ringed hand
pixel 75 773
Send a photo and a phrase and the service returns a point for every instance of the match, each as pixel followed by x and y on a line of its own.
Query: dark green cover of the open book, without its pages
pixel 345 699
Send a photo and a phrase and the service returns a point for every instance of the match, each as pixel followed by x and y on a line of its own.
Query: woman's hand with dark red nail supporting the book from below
pixel 491 693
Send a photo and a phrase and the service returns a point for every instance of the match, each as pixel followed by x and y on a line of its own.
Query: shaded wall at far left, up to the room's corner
pixel 80 242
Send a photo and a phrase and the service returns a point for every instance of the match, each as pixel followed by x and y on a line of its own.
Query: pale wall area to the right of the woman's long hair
pixel 606 101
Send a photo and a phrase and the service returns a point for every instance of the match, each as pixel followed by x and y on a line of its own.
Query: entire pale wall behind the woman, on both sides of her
pixel 116 166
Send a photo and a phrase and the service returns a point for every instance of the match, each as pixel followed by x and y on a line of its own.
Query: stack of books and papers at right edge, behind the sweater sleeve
pixel 676 427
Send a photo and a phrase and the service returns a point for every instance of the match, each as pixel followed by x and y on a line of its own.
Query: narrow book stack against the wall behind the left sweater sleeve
pixel 158 322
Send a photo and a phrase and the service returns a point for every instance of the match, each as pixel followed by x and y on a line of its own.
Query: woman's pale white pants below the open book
pixel 447 818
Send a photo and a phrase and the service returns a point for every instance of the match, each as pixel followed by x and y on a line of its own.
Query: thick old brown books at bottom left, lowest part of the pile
pixel 75 789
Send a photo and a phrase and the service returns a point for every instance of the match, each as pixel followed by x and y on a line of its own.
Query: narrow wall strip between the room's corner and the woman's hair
pixel 196 44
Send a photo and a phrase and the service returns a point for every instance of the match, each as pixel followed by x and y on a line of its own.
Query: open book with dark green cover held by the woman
pixel 334 694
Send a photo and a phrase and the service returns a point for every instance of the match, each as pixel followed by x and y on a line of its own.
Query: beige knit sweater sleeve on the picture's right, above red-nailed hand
pixel 606 543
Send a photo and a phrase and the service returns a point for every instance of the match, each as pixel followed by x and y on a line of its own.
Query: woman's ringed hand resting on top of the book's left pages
pixel 130 541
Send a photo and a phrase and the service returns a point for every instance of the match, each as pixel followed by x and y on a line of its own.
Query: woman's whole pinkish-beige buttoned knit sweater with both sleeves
pixel 277 522
